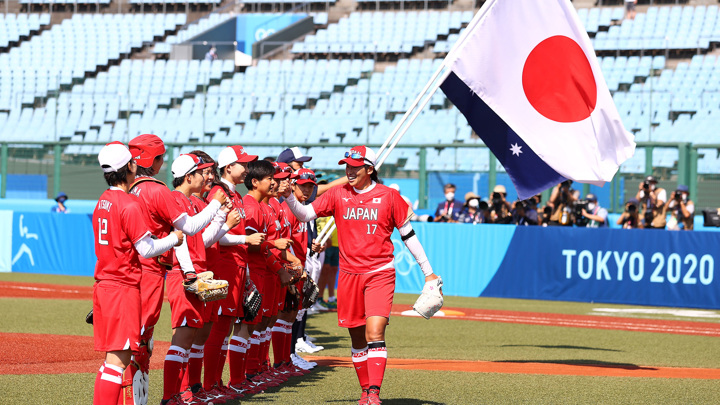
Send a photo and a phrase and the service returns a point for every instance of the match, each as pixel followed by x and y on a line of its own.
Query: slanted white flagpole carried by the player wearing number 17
pixel 330 226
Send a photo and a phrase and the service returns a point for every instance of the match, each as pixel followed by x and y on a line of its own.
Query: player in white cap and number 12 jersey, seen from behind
pixel 120 234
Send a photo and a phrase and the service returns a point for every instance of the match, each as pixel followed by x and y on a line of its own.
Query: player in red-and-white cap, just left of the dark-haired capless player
pixel 229 262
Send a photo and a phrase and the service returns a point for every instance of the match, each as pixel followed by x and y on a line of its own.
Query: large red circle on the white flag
pixel 558 80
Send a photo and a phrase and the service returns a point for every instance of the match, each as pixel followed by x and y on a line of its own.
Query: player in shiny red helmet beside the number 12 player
pixel 161 214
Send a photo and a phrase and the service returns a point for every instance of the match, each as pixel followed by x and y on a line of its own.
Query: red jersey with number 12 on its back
pixel 118 224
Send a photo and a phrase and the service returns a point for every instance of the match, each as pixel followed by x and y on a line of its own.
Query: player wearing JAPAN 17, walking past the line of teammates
pixel 366 213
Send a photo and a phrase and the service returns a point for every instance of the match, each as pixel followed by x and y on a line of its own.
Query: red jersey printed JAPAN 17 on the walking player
pixel 365 222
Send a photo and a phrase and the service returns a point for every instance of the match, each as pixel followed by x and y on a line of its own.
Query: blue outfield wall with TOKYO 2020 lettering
pixel 644 267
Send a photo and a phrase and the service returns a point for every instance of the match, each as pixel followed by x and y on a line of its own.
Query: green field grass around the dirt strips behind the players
pixel 417 338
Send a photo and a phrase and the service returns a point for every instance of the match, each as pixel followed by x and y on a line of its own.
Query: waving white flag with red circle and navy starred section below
pixel 533 65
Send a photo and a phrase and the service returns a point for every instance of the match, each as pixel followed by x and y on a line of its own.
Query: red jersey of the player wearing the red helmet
pixel 160 211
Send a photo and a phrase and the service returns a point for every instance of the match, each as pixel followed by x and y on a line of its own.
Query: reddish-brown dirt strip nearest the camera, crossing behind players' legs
pixel 60 354
